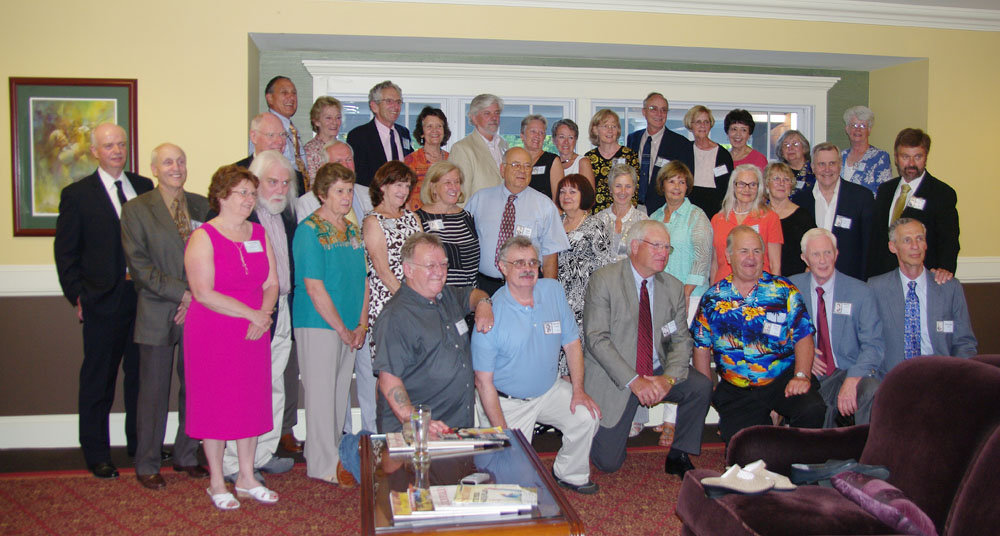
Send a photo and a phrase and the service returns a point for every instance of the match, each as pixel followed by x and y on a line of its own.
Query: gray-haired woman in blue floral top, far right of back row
pixel 863 163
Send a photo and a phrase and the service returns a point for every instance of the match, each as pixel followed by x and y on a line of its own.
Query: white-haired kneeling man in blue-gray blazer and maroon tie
pixel 849 346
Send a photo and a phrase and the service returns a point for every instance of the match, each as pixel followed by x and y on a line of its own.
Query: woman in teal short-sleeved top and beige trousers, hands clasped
pixel 330 316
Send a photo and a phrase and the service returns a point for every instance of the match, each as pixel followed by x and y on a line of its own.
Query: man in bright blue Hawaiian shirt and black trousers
pixel 756 328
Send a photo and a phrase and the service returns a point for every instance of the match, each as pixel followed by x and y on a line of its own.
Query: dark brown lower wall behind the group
pixel 42 349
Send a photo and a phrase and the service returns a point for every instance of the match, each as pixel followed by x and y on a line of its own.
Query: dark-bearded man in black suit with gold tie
pixel 926 199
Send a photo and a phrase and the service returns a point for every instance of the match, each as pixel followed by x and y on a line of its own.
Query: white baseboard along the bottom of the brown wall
pixel 61 431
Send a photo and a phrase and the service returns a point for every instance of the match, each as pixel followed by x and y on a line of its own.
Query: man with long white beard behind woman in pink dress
pixel 275 214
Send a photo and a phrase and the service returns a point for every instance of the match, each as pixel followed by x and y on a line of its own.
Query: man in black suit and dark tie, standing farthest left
pixel 91 266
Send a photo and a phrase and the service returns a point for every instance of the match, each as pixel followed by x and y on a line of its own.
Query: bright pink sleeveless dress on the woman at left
pixel 228 378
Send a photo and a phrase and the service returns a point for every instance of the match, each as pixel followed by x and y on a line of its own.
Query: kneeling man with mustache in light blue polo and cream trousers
pixel 516 364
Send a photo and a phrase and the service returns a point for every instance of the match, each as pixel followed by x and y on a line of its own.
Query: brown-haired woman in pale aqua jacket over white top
pixel 689 228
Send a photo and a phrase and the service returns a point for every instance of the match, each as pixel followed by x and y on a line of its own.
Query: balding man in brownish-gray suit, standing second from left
pixel 155 229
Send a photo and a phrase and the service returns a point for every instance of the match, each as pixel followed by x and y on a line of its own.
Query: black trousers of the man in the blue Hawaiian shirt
pixel 742 407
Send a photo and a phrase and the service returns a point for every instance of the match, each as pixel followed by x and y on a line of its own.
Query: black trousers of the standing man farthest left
pixel 108 344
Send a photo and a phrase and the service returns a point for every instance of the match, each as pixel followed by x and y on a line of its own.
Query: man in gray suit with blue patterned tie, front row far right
pixel 920 316
